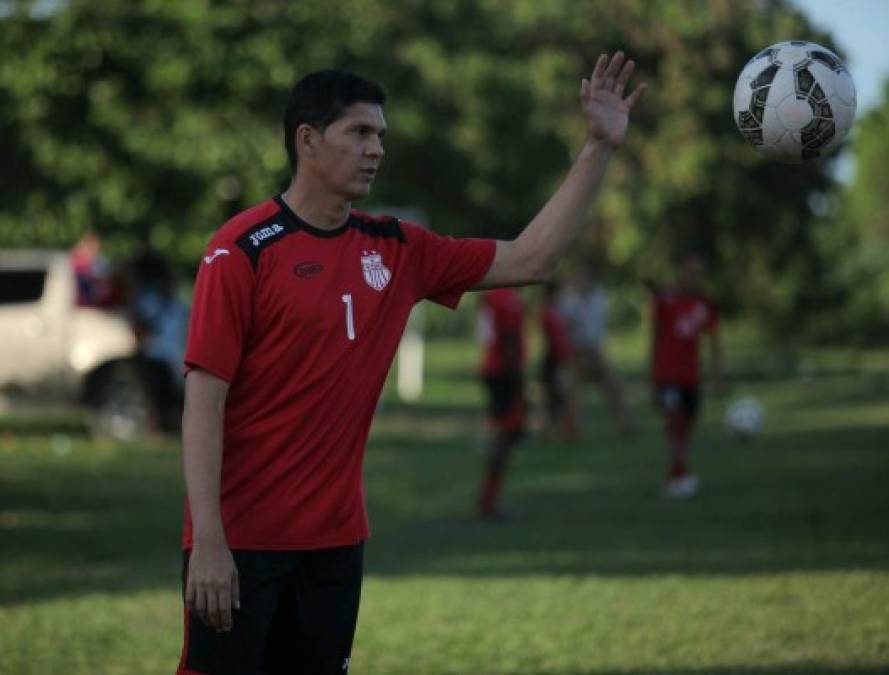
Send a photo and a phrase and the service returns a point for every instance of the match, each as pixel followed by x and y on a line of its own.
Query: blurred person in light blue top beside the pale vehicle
pixel 160 320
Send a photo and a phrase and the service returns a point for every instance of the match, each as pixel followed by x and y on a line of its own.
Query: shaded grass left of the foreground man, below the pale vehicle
pixel 70 528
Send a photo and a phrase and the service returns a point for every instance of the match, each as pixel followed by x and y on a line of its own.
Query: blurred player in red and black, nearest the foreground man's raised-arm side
pixel 501 332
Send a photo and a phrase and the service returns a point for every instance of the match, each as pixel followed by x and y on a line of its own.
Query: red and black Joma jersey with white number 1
pixel 303 323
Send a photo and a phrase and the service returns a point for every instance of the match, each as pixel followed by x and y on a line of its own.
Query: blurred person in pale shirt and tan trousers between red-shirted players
pixel 584 305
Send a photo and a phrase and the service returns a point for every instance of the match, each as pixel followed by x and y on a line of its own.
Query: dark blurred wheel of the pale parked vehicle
pixel 121 406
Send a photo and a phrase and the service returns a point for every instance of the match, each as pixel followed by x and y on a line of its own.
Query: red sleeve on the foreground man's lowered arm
pixel 221 312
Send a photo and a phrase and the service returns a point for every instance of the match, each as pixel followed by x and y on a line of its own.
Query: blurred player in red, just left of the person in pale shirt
pixel 556 371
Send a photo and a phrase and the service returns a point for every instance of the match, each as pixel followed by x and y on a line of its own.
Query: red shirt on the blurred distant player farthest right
pixel 680 318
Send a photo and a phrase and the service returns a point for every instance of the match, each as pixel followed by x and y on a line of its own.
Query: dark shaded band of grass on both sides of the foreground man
pixel 801 501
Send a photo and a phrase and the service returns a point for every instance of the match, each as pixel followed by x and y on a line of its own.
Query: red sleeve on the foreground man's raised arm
pixel 449 267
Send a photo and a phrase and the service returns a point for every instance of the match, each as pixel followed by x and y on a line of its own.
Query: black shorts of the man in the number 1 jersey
pixel 298 615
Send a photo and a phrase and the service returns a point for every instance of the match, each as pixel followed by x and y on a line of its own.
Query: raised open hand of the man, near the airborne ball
pixel 606 109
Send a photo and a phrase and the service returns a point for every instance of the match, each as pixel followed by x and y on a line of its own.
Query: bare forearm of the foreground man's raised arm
pixel 548 235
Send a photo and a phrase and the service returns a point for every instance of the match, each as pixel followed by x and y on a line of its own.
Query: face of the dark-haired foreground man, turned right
pixel 350 150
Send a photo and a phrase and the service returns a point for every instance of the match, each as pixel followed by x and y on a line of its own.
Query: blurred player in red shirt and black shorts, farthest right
pixel 682 315
